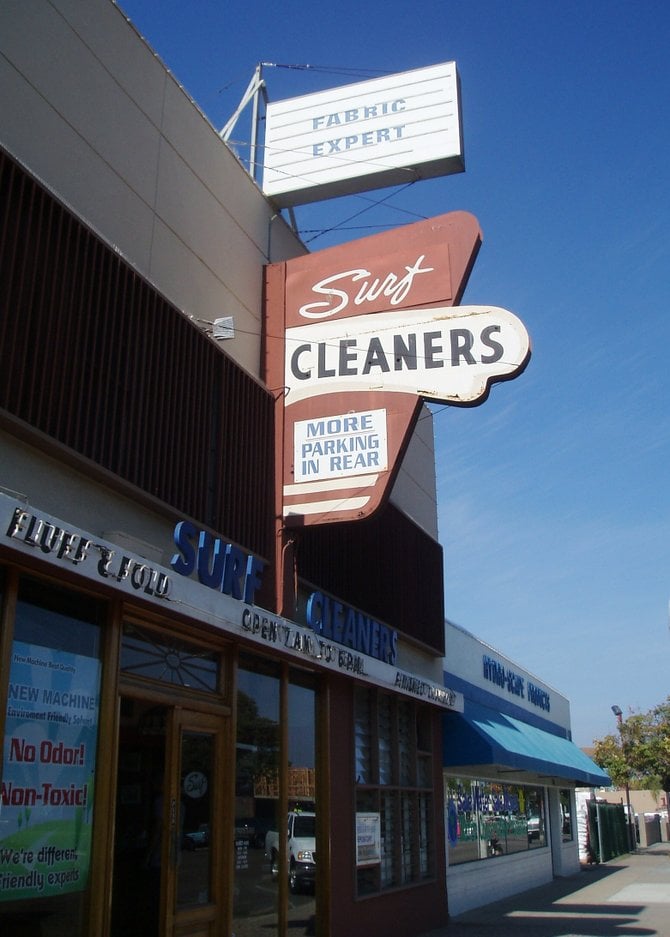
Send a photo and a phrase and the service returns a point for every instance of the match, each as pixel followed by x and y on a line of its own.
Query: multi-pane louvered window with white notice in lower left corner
pixel 394 805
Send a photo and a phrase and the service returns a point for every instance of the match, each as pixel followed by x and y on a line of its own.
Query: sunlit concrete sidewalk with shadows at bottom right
pixel 629 895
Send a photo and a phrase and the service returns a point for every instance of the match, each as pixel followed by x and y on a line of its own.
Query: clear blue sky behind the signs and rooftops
pixel 553 495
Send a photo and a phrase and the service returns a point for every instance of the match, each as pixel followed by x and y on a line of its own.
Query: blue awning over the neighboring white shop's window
pixel 483 737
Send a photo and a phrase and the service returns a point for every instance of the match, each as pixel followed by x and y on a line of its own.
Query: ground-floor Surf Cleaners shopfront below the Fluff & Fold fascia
pixel 132 690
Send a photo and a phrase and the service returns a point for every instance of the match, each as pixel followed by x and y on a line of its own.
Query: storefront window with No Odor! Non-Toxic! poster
pixel 48 783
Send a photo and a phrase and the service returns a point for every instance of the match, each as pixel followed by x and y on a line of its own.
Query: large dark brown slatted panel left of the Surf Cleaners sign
pixel 98 360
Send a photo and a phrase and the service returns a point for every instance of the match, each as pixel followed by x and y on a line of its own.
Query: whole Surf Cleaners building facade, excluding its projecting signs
pixel 161 720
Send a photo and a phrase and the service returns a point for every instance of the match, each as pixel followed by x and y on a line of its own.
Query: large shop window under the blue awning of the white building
pixel 486 819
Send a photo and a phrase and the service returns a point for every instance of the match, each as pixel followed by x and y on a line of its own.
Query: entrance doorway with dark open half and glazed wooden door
pixel 168 868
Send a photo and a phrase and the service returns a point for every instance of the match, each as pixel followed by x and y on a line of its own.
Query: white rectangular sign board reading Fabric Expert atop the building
pixel 363 136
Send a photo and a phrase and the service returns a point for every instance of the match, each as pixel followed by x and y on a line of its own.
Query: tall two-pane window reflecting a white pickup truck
pixel 262 827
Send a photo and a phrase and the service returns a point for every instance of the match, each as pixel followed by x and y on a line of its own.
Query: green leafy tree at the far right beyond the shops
pixel 640 756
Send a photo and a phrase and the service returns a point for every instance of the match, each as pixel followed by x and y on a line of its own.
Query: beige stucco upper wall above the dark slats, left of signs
pixel 92 111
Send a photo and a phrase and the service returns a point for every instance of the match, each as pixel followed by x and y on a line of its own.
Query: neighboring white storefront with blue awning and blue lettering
pixel 510 773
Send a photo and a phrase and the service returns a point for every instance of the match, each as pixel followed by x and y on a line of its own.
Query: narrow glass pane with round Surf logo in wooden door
pixel 191 845
